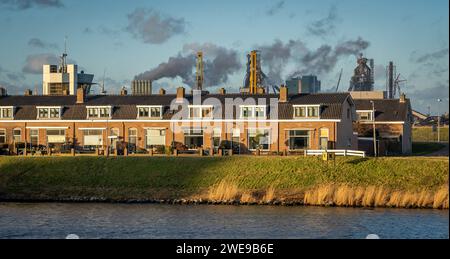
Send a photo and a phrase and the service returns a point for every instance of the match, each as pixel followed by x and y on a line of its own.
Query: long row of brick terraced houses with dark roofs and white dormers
pixel 265 122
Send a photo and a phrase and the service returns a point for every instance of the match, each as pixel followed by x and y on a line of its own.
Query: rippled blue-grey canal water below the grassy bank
pixel 58 220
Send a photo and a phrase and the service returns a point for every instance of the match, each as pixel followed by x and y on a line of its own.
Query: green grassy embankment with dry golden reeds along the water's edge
pixel 387 182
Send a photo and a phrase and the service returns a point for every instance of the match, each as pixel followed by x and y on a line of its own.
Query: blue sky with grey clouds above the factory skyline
pixel 127 38
